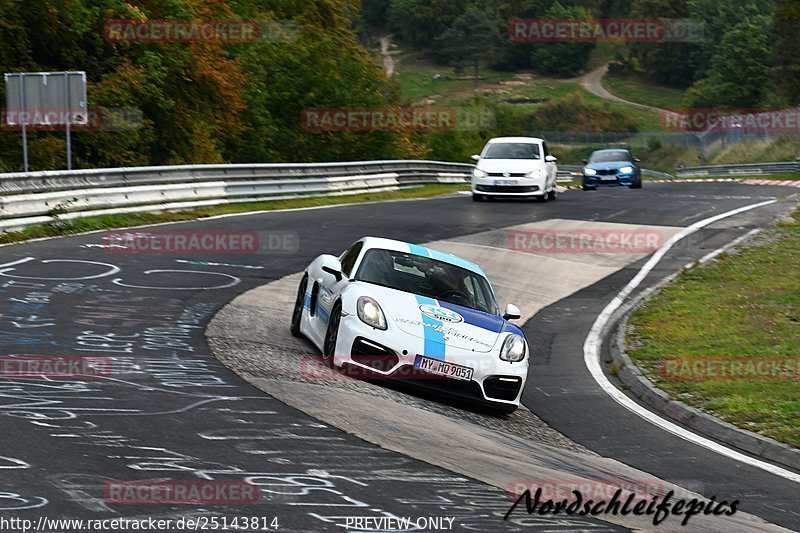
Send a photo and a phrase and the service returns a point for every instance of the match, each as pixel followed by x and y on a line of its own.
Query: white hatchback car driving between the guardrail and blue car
pixel 514 167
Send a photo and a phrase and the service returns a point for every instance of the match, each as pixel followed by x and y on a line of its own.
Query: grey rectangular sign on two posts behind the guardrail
pixel 46 99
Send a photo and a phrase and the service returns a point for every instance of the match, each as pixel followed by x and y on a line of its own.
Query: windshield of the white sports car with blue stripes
pixel 427 277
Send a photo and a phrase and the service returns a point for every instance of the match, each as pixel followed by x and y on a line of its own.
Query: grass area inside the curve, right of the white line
pixel 741 308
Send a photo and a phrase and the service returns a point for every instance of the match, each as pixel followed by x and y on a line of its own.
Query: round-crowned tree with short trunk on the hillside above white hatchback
pixel 473 39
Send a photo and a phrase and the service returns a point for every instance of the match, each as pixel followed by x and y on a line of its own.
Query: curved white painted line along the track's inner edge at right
pixel 591 356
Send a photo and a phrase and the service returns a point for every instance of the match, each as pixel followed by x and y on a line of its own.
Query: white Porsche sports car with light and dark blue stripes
pixel 391 309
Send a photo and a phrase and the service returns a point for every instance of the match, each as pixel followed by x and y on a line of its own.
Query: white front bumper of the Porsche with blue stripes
pixel 370 353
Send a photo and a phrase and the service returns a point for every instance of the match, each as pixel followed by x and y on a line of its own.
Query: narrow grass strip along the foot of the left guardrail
pixel 101 222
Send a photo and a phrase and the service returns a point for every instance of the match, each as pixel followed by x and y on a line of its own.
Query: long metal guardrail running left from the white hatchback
pixel 45 197
